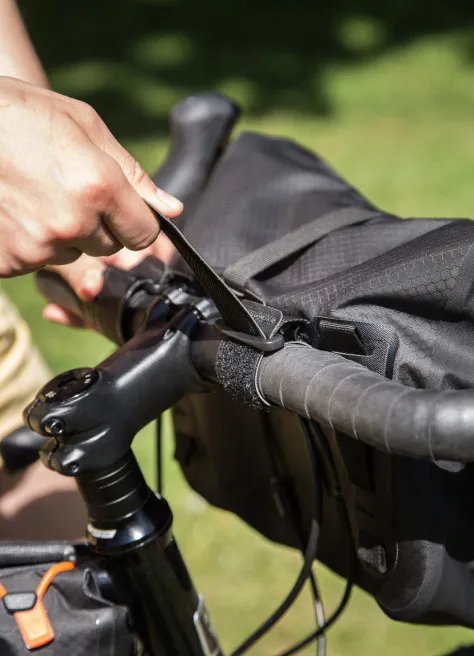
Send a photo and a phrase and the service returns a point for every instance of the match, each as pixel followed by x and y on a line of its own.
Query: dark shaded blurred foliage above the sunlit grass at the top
pixel 112 53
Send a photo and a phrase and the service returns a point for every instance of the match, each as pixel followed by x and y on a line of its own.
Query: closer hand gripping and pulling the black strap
pixel 67 187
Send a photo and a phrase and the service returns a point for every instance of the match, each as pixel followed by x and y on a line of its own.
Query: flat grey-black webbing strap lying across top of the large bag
pixel 257 261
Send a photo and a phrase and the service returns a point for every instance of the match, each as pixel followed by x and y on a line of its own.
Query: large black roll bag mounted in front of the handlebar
pixel 395 295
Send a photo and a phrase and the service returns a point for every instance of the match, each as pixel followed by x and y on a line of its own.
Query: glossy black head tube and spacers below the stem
pixel 131 529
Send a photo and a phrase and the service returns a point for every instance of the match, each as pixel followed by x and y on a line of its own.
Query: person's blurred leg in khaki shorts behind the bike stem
pixel 36 503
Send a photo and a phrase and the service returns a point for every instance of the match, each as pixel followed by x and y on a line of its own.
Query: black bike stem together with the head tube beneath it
pixel 91 417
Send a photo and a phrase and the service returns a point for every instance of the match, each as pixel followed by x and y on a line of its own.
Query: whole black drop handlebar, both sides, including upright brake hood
pixel 323 386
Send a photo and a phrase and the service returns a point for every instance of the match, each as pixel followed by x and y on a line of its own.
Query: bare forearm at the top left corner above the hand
pixel 18 57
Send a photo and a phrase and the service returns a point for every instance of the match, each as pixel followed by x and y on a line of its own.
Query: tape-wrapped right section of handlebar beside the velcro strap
pixel 389 416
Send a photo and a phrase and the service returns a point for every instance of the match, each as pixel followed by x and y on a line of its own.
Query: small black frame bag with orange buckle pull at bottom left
pixel 53 605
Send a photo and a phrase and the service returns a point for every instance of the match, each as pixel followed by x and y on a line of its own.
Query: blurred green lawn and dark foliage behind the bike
pixel 384 91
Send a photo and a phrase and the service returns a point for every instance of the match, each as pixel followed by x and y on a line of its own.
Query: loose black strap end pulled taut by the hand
pixel 232 310
